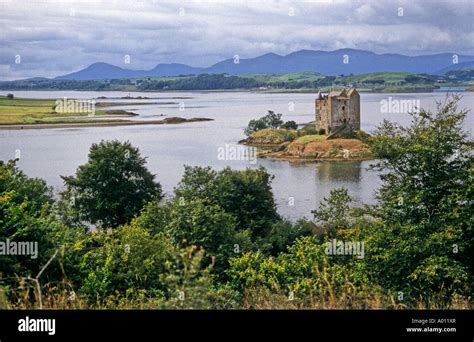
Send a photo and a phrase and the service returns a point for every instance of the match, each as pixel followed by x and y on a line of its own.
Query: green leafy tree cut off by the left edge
pixel 25 216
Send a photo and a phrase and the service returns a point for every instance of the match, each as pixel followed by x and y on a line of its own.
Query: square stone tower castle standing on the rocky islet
pixel 338 109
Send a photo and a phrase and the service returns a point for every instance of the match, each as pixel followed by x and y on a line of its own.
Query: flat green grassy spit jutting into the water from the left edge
pixel 20 110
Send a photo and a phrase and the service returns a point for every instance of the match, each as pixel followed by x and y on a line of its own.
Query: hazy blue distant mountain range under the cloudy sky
pixel 325 62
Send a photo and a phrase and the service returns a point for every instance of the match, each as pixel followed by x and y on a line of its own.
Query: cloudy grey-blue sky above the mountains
pixel 52 37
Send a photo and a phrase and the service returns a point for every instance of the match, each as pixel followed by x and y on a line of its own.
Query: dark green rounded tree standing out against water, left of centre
pixel 112 187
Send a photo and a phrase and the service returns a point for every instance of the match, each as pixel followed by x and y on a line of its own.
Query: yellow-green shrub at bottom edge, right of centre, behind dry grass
pixel 306 273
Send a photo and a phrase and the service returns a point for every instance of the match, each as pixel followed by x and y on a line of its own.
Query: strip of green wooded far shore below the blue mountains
pixel 378 81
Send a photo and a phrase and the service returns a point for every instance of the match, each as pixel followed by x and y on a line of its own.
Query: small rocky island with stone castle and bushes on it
pixel 334 135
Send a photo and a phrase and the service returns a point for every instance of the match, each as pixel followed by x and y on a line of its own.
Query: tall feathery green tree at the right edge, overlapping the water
pixel 424 245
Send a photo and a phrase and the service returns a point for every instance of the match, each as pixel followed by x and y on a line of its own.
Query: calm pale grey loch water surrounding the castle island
pixel 49 153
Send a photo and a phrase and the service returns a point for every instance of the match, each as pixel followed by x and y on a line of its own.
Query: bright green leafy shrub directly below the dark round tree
pixel 128 258
